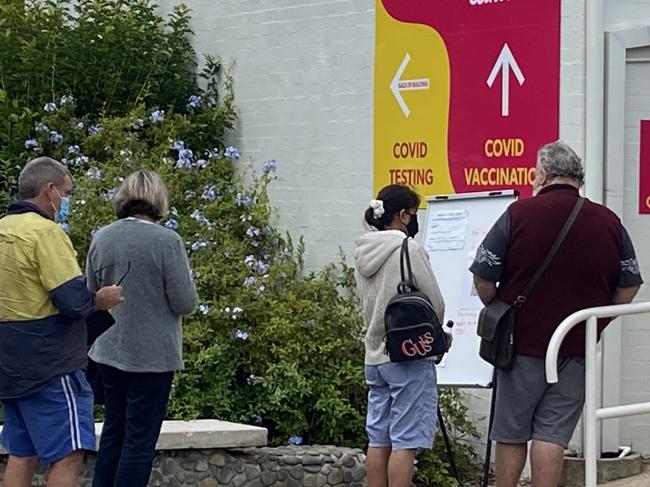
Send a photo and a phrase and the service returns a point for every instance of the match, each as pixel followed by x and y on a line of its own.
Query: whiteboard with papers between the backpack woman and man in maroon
pixel 455 226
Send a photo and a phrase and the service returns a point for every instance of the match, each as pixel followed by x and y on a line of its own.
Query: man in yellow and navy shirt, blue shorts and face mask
pixel 47 403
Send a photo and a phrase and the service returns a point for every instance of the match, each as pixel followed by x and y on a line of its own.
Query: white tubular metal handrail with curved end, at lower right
pixel 591 412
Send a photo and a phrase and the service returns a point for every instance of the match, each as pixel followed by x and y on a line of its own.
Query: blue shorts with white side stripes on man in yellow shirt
pixel 51 423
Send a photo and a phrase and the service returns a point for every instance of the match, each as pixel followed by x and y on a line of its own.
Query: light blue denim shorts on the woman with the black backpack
pixel 402 404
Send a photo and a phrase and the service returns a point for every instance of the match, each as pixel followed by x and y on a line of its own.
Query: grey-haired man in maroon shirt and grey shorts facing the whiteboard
pixel 595 266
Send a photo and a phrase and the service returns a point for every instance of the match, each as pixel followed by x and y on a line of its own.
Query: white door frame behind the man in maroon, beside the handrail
pixel 616 45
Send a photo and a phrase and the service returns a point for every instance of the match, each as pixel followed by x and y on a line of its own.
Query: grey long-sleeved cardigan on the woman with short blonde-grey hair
pixel 158 290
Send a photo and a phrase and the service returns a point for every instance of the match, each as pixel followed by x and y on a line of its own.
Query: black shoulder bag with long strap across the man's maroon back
pixel 496 322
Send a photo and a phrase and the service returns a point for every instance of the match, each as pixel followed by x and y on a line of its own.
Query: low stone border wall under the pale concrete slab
pixel 288 466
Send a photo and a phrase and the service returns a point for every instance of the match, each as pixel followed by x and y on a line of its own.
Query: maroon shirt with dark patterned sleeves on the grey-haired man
pixel 595 258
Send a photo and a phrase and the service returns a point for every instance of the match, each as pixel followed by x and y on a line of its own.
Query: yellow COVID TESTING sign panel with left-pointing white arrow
pixel 411 106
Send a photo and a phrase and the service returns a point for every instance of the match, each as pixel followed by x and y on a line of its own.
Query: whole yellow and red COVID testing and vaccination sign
pixel 465 92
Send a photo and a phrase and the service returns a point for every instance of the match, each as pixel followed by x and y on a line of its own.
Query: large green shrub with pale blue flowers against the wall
pixel 267 344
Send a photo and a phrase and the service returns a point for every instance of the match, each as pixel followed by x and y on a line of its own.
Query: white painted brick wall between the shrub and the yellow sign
pixel 303 83
